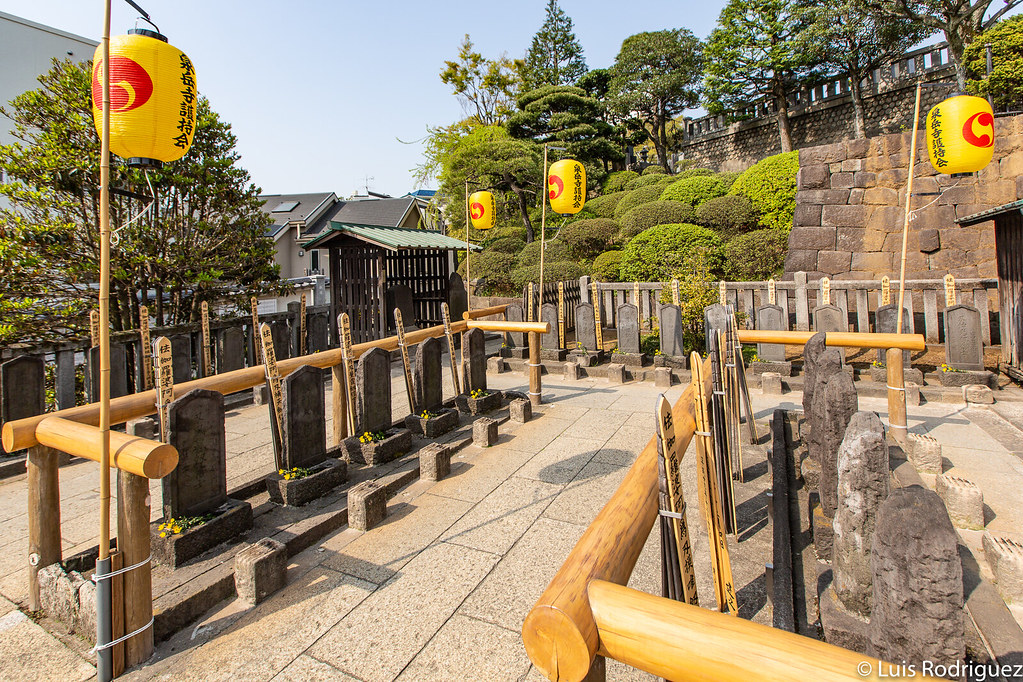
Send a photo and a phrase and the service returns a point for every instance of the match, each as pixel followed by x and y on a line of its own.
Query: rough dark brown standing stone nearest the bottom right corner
pixel 917 610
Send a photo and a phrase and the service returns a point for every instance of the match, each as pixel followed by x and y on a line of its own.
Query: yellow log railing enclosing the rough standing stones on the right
pixel 586 612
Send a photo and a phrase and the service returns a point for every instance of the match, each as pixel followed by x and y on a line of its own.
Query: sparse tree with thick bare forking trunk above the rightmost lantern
pixel 960 21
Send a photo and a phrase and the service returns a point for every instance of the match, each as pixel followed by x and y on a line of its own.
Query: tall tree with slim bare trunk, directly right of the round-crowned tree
pixel 760 50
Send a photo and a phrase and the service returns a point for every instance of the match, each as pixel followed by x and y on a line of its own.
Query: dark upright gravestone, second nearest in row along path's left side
pixel 305 440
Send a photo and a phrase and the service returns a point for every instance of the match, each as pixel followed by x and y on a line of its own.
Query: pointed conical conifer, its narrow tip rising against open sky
pixel 555 58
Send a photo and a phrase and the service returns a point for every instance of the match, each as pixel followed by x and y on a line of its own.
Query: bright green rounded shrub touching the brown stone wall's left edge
pixel 771 188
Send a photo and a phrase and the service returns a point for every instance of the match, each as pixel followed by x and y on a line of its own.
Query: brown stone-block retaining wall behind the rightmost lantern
pixel 850 209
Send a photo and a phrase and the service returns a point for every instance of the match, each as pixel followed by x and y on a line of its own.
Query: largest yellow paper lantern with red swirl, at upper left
pixel 153 99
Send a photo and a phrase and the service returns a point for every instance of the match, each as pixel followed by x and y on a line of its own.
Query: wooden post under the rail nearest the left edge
pixel 45 516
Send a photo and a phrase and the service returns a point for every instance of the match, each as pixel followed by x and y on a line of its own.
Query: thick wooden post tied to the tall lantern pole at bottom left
pixel 134 547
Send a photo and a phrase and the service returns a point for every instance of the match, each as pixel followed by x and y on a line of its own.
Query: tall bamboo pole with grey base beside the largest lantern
pixel 105 655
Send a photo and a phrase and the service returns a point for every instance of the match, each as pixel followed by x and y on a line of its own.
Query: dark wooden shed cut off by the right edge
pixel 1009 255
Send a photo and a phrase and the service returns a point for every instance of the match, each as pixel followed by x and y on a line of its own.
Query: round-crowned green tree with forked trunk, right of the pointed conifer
pixel 655 78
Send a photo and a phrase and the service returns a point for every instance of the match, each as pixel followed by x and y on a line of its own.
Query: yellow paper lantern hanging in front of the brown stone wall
pixel 961 134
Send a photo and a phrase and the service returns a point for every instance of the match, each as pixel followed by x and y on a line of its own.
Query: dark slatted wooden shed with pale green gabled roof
pixel 367 260
